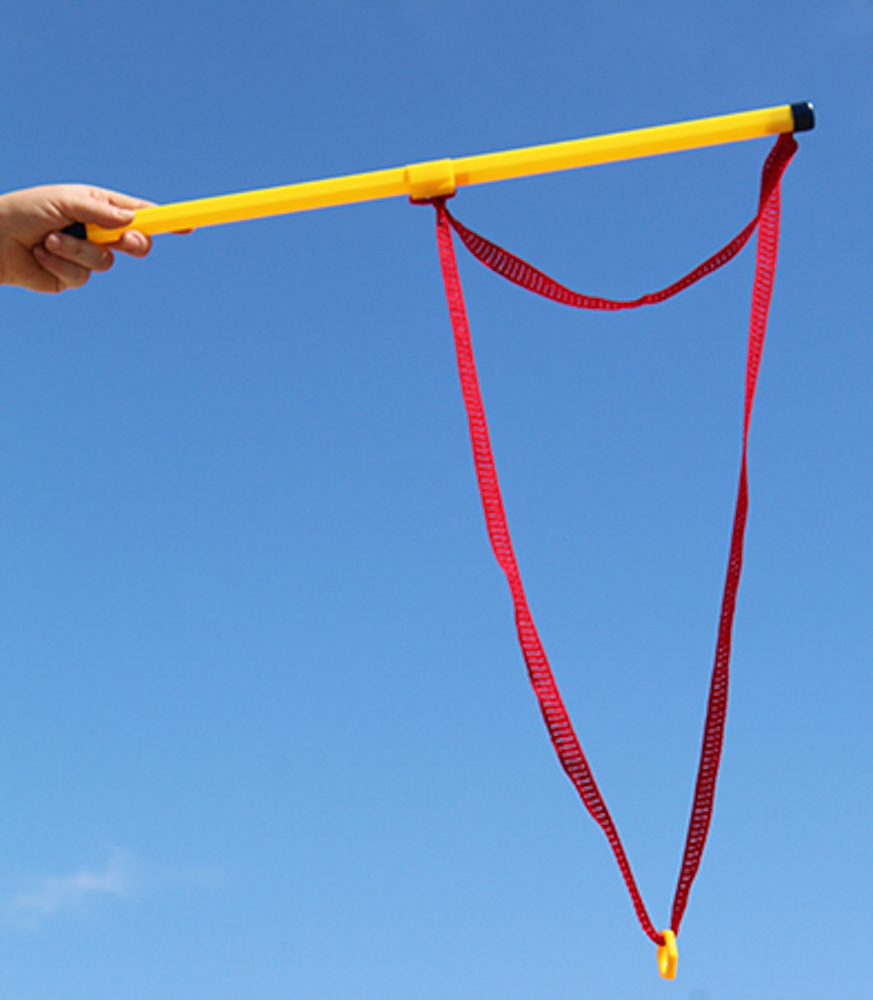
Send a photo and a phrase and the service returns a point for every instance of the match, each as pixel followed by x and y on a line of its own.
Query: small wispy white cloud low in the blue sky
pixel 56 895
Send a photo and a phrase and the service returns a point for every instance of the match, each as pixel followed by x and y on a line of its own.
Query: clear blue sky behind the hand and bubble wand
pixel 264 728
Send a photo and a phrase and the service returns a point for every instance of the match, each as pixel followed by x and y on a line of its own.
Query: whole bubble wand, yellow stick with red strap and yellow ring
pixel 436 180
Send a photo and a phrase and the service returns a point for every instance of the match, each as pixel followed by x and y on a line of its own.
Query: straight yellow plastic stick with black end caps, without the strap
pixel 441 177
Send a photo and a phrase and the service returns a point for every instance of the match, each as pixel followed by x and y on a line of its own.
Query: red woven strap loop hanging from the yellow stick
pixel 555 714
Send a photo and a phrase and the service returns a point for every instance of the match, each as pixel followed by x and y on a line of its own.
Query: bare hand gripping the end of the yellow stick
pixel 35 254
